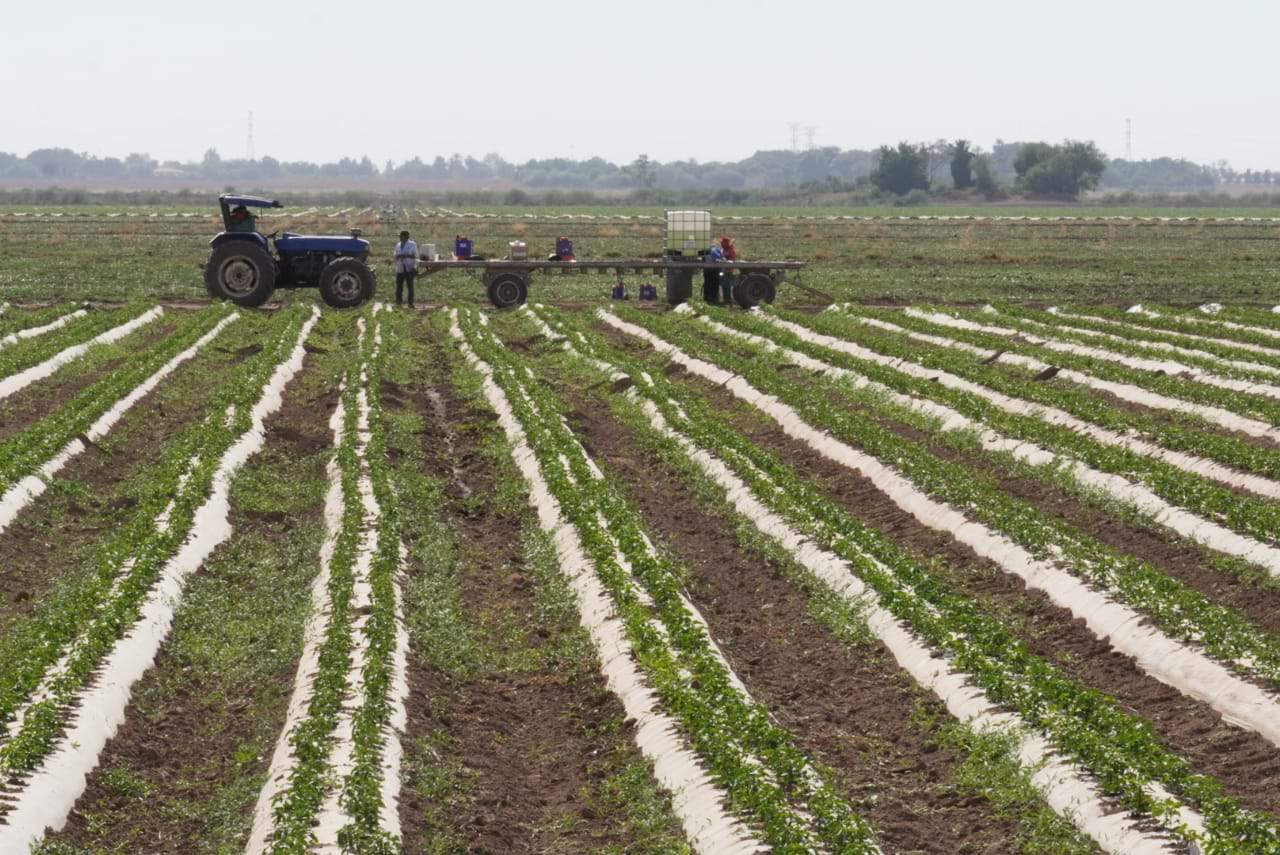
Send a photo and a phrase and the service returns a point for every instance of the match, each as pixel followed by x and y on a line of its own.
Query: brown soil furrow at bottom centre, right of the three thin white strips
pixel 534 748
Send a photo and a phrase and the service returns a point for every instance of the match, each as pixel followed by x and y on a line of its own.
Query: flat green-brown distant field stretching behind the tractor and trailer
pixel 120 254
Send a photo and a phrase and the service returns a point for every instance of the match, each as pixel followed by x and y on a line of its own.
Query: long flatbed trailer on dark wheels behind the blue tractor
pixel 508 281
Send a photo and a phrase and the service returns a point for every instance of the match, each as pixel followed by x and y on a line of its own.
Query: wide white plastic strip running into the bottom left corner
pixel 48 797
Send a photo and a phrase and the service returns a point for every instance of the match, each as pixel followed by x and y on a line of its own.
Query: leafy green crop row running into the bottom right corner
pixel 1085 725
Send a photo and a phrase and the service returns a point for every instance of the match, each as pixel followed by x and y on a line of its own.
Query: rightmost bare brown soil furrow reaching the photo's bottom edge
pixel 848 707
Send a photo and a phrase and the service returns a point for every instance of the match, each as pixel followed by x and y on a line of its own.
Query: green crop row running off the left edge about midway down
pixel 24 454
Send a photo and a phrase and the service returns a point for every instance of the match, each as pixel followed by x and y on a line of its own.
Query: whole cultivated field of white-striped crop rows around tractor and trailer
pixel 892 574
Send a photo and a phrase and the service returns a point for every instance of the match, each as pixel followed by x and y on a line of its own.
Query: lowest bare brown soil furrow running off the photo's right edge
pixel 1246 765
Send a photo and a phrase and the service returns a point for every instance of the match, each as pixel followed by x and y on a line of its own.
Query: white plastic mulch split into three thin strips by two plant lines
pixel 333 817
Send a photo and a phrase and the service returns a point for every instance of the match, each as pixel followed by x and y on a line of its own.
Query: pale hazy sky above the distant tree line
pixel 710 80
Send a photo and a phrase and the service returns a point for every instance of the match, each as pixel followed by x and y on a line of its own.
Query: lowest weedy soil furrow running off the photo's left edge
pixel 98 500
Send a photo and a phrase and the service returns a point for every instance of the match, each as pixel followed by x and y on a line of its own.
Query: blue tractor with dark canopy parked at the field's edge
pixel 243 269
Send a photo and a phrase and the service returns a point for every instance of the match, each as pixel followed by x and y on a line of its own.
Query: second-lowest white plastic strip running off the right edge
pixel 1177 520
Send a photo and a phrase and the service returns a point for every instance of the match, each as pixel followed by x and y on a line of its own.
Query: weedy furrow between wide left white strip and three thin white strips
pixel 204 720
